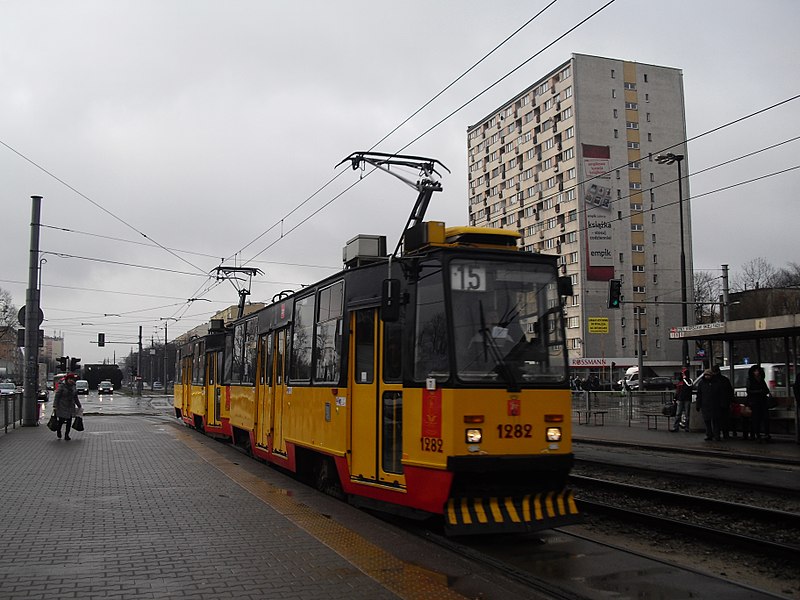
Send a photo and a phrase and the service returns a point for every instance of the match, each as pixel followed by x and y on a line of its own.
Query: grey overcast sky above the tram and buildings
pixel 203 125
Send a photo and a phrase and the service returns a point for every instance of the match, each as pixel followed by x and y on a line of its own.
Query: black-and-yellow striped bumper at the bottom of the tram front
pixel 510 514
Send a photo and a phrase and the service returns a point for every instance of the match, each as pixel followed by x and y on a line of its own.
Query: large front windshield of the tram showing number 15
pixel 506 322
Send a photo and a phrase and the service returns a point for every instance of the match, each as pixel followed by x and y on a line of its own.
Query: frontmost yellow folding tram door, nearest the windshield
pixel 376 412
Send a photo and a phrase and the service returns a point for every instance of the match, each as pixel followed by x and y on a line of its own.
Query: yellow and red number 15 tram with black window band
pixel 429 382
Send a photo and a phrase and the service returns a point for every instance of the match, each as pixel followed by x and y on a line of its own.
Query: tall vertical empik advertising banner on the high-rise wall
pixel 597 212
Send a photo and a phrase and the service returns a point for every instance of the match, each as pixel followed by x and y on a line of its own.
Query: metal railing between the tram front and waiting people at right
pixel 622 407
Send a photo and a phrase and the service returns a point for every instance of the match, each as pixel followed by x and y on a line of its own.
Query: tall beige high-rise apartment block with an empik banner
pixel 570 164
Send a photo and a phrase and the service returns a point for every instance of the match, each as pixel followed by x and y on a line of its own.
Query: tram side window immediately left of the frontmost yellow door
pixel 329 334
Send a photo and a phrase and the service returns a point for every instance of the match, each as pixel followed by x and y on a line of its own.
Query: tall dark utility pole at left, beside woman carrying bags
pixel 30 417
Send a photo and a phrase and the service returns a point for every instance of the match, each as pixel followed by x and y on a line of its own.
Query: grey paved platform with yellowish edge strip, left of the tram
pixel 141 507
